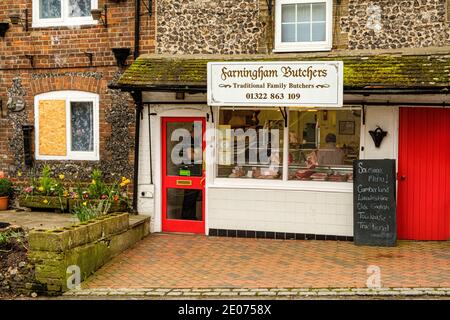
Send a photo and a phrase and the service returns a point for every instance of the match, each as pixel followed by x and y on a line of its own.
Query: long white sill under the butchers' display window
pixel 261 184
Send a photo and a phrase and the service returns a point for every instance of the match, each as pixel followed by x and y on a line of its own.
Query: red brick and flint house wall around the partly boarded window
pixel 61 63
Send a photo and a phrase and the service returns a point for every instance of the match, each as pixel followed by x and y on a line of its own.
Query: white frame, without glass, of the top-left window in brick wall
pixel 65 20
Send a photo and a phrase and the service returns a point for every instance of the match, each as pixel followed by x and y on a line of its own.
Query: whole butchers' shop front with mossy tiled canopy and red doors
pixel 238 153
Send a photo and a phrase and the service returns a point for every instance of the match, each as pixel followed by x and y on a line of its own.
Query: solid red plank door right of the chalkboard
pixel 423 211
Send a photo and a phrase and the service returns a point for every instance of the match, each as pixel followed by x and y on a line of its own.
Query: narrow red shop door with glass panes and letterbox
pixel 183 175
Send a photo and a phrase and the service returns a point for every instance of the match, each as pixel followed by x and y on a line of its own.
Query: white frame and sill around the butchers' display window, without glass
pixel 278 184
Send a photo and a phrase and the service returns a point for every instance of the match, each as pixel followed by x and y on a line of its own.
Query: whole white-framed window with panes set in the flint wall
pixel 303 25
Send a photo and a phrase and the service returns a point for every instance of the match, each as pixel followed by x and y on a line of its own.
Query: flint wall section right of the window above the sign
pixel 388 24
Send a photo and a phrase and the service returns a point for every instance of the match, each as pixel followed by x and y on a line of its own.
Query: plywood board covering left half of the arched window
pixel 52 128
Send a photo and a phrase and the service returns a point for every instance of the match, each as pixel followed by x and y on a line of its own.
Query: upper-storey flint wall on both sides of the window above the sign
pixel 245 26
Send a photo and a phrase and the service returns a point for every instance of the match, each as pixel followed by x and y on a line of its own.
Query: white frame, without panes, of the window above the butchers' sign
pixel 304 46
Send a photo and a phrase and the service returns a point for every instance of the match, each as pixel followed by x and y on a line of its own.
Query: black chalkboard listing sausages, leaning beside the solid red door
pixel 374 202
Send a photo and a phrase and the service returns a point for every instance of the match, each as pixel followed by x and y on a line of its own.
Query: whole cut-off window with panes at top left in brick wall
pixel 48 13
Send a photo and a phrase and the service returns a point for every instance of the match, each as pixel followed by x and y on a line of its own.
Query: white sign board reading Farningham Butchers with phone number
pixel 276 84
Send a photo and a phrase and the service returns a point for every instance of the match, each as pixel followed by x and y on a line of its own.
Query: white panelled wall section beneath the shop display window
pixel 325 213
